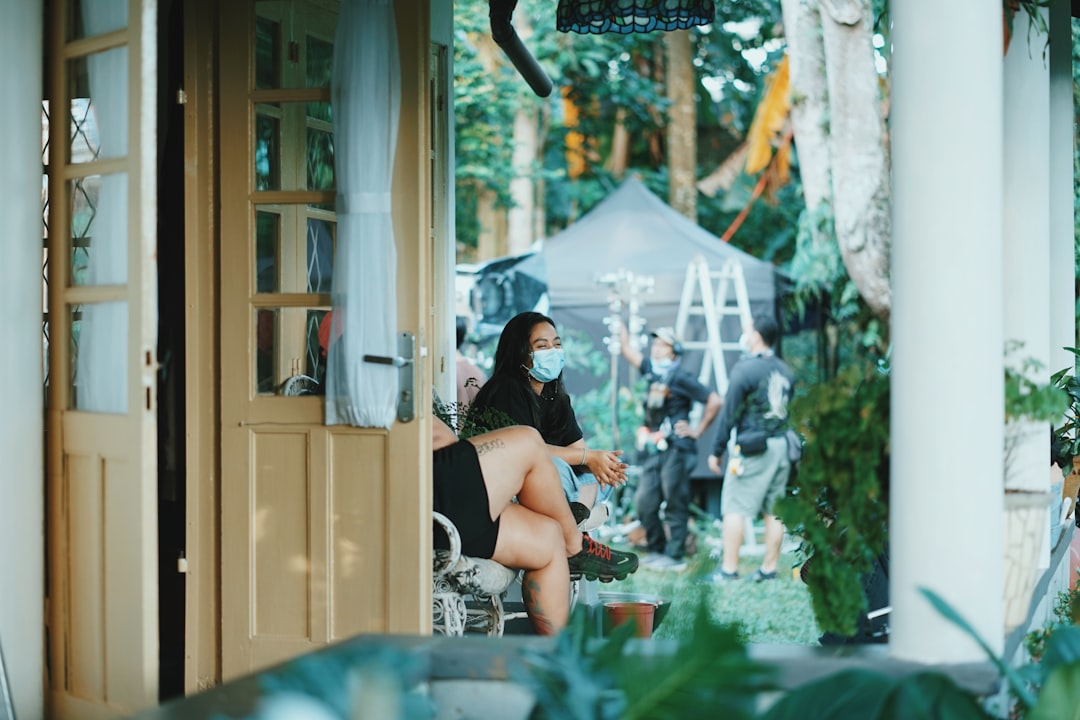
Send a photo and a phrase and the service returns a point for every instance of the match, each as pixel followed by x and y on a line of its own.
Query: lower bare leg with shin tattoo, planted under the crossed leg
pixel 535 544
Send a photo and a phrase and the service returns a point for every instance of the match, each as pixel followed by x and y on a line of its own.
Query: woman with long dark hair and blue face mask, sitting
pixel 526 384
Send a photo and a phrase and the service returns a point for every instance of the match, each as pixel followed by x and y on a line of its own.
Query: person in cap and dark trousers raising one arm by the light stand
pixel 666 476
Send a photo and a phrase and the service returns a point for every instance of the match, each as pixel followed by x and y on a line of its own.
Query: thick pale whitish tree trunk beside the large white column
pixel 836 114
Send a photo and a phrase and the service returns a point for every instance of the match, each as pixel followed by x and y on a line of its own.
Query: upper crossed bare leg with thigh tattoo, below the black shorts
pixel 516 463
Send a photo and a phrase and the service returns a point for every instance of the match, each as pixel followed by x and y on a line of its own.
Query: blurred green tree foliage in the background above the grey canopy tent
pixel 612 79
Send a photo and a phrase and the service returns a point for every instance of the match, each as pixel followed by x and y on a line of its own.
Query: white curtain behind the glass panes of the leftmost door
pixel 102 363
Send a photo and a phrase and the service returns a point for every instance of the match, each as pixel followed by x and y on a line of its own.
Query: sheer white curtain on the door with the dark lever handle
pixel 367 105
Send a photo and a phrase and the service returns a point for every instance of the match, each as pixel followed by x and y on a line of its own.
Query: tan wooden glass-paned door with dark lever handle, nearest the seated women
pixel 325 529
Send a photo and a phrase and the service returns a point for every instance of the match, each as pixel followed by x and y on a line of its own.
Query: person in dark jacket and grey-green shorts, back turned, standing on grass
pixel 755 407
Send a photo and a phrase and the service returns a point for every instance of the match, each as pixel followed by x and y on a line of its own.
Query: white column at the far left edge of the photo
pixel 22 481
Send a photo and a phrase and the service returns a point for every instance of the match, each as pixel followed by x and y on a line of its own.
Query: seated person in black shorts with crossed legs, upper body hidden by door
pixel 475 483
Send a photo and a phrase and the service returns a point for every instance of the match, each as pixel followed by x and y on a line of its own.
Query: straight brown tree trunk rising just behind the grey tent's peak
pixel 682 126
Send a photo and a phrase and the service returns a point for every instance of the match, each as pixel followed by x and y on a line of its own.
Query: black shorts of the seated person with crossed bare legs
pixel 462 496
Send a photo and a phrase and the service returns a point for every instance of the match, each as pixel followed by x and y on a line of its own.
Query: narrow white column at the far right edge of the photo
pixel 1063 329
